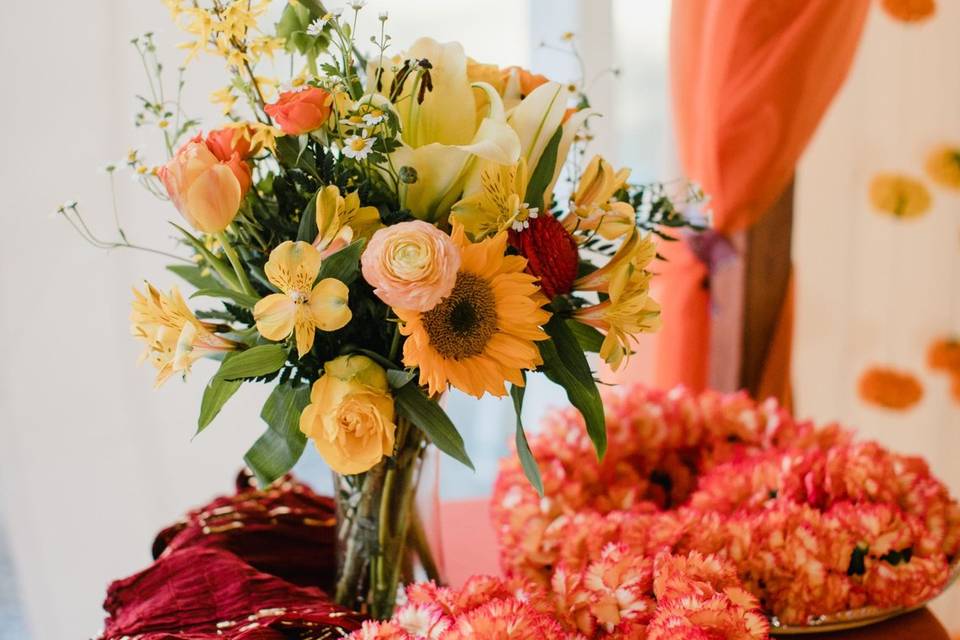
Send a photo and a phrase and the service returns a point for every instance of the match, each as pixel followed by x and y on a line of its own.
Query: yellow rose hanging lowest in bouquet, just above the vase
pixel 350 415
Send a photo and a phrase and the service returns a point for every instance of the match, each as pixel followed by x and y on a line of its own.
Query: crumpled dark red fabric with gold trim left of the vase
pixel 247 566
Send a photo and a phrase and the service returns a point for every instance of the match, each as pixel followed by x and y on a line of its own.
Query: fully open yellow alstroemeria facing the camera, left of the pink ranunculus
pixel 302 307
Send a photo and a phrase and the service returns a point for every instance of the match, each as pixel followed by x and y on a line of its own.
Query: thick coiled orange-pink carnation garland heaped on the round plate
pixel 813 522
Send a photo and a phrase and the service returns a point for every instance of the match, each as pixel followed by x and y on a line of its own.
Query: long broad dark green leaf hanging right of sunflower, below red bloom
pixel 565 363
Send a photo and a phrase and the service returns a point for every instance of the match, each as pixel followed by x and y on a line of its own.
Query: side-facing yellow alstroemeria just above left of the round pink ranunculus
pixel 341 220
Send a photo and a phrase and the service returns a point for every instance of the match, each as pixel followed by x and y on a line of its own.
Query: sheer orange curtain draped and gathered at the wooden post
pixel 751 80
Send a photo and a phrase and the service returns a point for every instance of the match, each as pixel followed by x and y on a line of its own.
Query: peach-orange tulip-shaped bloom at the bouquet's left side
pixel 205 189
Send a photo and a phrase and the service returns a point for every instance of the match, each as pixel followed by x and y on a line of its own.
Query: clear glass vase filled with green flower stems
pixel 386 526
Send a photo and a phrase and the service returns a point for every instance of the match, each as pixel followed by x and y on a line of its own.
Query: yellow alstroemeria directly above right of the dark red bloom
pixel 593 208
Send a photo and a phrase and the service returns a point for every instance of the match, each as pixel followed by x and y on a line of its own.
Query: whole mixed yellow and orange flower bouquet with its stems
pixel 373 231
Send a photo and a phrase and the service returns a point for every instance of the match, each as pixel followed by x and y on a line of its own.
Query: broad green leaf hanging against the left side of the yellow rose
pixel 281 445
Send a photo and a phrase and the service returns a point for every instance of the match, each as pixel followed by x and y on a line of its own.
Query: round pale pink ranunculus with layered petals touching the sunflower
pixel 411 265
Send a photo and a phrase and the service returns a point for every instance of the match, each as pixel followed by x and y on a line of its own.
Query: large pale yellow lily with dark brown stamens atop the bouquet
pixel 443 133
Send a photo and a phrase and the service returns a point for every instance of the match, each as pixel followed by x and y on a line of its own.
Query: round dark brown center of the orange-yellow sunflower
pixel 462 324
